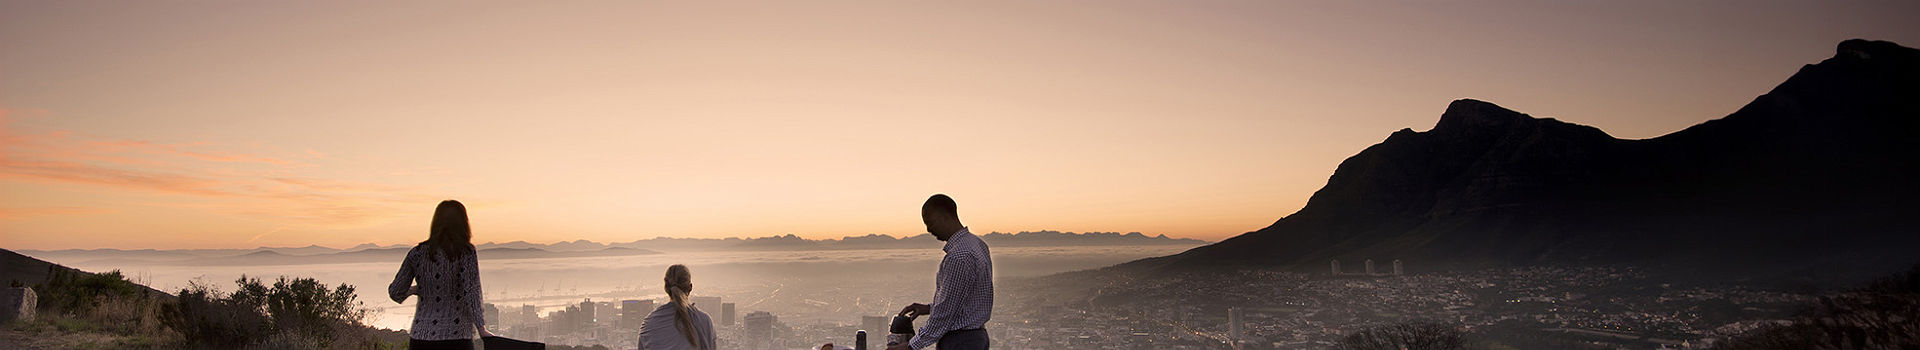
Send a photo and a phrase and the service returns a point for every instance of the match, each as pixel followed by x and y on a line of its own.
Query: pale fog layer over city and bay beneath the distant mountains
pixel 817 287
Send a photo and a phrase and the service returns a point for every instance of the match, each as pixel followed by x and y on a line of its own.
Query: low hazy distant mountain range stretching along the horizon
pixel 521 249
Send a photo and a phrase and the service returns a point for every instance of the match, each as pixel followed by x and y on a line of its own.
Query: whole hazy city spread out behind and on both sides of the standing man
pixel 1518 307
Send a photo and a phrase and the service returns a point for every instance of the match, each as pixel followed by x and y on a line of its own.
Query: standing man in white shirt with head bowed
pixel 963 291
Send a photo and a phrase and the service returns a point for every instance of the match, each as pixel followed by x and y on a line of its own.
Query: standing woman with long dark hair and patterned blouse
pixel 448 278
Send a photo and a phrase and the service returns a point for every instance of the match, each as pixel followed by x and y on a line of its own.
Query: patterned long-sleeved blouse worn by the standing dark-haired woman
pixel 450 295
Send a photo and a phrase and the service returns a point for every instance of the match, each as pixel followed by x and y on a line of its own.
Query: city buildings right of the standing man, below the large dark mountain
pixel 1516 307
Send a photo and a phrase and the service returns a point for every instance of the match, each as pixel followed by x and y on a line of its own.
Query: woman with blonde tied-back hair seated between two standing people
pixel 679 324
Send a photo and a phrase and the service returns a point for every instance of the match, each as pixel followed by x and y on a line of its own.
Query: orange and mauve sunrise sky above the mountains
pixel 337 124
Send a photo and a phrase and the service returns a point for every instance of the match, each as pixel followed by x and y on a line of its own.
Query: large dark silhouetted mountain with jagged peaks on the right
pixel 1817 178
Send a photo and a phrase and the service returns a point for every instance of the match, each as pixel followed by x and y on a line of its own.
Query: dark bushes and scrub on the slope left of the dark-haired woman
pixel 105 311
